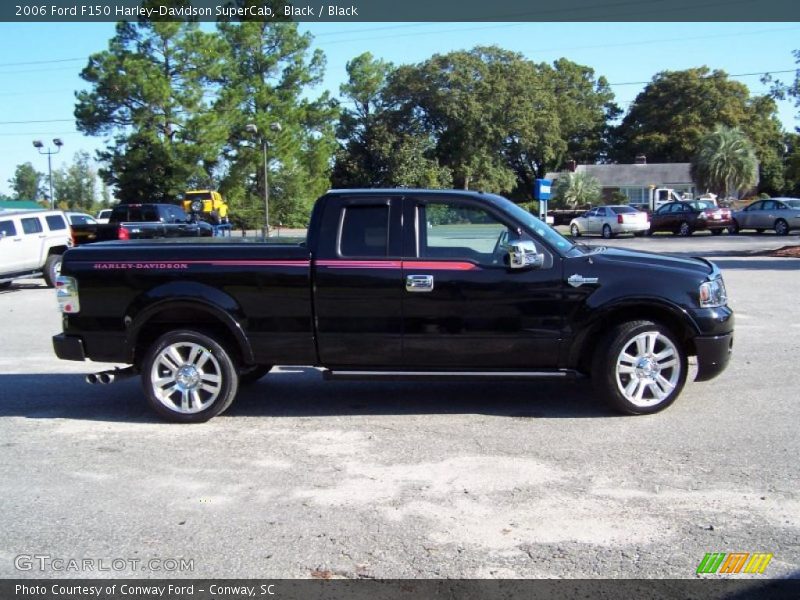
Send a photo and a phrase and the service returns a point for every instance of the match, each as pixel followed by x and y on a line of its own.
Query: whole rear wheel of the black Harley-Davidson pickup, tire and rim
pixel 205 367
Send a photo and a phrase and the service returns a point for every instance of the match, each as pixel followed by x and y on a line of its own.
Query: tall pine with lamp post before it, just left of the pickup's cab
pixel 268 72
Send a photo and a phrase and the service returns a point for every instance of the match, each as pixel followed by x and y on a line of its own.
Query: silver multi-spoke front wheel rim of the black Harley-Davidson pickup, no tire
pixel 648 369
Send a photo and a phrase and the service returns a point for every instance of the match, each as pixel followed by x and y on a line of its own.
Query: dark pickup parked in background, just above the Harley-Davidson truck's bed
pixel 141 221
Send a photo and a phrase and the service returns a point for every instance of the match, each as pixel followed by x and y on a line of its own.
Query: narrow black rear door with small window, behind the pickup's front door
pixel 358 282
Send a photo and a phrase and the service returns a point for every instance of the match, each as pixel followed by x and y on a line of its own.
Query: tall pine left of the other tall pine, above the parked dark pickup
pixel 146 91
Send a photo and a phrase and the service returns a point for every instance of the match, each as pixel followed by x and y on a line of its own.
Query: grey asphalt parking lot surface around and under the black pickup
pixel 305 478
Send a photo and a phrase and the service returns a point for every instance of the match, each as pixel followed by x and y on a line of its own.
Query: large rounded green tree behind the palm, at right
pixel 677 109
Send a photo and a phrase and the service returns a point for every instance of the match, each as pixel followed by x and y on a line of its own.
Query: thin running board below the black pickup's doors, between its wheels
pixel 347 375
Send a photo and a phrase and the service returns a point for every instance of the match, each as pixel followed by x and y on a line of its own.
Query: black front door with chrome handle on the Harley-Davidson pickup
pixel 463 308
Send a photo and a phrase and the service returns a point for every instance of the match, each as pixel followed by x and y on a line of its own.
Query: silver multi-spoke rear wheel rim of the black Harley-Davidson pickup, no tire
pixel 186 377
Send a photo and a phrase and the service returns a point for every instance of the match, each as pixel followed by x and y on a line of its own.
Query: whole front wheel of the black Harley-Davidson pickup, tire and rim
pixel 618 383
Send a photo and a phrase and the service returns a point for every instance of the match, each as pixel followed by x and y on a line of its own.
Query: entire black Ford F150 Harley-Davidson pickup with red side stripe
pixel 394 284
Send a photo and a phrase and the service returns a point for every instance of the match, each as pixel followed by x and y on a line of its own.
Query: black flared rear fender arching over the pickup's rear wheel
pixel 187 295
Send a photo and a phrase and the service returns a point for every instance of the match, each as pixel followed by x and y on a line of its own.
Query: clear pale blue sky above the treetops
pixel 40 64
